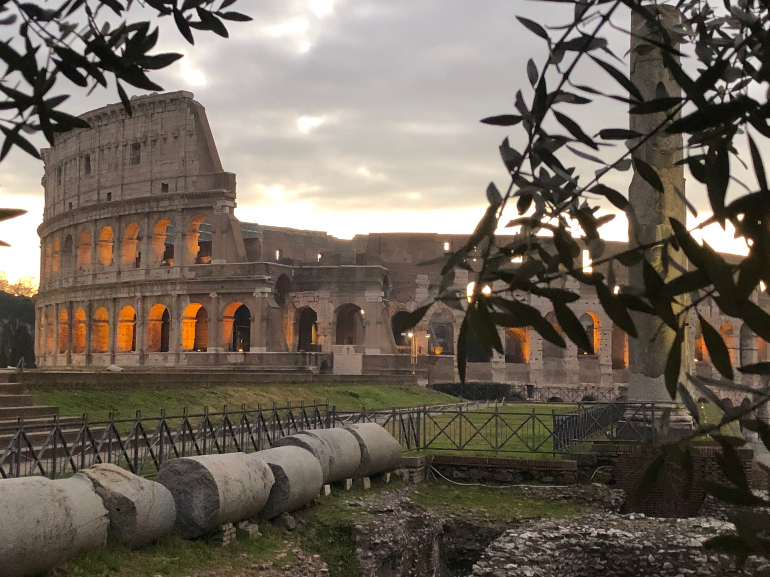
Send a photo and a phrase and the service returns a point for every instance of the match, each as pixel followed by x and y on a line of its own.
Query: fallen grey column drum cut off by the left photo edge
pixel 43 523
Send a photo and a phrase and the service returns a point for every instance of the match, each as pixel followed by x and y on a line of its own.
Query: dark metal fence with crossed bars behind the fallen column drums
pixel 141 445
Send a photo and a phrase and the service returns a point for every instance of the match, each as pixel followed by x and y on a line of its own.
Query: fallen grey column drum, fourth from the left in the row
pixel 298 479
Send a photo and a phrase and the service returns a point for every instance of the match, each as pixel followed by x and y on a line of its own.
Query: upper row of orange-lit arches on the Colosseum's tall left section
pixel 82 252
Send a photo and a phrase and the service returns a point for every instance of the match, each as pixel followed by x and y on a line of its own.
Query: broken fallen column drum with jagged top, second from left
pixel 140 510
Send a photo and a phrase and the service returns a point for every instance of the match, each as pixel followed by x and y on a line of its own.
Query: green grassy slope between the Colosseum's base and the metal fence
pixel 99 402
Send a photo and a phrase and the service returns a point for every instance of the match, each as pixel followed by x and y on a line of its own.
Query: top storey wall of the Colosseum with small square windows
pixel 162 148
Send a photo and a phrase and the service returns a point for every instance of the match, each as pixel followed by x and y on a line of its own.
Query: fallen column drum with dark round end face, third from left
pixel 212 490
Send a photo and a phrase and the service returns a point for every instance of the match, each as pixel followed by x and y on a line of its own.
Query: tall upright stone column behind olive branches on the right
pixel 648 353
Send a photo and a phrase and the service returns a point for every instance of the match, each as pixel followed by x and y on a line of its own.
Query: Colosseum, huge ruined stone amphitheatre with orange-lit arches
pixel 145 266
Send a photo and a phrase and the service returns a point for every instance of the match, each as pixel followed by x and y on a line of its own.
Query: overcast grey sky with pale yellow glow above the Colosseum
pixel 349 116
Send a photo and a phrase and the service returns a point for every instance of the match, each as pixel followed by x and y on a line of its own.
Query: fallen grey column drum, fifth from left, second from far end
pixel 337 451
